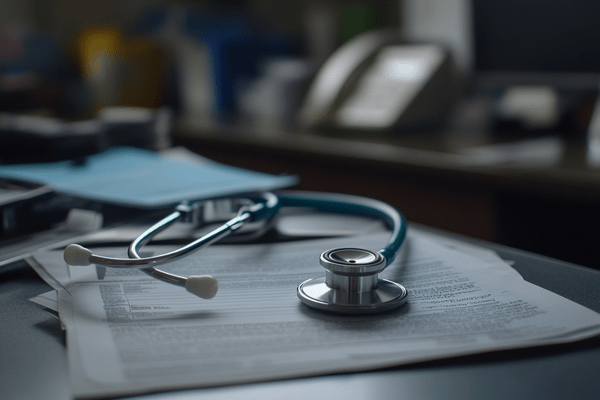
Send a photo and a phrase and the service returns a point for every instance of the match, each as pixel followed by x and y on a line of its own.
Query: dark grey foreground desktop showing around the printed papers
pixel 34 364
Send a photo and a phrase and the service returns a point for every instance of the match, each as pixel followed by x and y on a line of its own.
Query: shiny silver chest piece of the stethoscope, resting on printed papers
pixel 351 284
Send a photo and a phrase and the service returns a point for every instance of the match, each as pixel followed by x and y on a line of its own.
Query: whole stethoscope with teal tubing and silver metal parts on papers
pixel 351 284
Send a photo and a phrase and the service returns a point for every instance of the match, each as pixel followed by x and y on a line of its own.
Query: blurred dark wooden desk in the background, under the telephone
pixel 426 176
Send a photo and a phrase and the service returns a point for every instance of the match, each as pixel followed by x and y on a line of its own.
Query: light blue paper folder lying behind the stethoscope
pixel 140 178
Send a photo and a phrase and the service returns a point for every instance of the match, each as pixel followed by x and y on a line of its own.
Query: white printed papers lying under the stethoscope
pixel 130 334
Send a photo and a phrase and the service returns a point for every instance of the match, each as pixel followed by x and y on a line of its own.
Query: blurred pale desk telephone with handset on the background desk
pixel 373 82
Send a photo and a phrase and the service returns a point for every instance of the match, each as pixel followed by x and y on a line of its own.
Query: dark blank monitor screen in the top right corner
pixel 536 42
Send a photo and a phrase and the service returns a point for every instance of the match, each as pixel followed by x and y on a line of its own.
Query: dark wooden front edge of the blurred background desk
pixel 390 154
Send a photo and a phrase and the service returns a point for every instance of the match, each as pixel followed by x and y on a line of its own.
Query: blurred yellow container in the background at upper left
pixel 121 71
